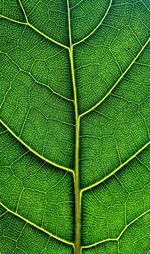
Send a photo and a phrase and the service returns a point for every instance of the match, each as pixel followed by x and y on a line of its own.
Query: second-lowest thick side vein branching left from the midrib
pixel 34 152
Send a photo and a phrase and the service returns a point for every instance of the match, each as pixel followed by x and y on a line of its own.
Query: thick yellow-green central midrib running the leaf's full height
pixel 77 234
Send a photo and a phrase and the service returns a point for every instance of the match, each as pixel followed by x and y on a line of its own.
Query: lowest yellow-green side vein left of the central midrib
pixel 36 226
